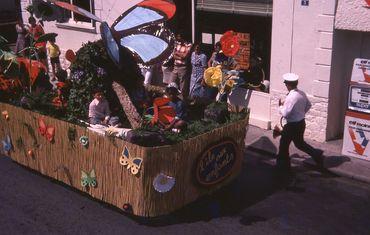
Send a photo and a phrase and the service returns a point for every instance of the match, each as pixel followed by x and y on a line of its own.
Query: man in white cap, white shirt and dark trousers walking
pixel 293 109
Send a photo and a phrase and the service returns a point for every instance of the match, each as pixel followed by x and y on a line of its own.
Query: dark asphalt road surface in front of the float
pixel 256 203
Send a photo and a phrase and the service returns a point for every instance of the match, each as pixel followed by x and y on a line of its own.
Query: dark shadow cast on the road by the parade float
pixel 256 182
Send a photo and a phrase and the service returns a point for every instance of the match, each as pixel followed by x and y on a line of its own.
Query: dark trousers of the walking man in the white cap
pixel 294 131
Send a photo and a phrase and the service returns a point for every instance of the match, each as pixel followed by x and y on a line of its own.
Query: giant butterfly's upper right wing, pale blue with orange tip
pixel 144 13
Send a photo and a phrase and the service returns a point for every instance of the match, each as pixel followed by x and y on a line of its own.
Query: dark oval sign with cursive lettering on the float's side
pixel 216 163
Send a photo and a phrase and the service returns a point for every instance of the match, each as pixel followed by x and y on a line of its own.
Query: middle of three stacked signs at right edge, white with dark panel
pixel 359 98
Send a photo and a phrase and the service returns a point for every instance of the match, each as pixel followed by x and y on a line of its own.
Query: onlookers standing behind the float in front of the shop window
pixel 189 62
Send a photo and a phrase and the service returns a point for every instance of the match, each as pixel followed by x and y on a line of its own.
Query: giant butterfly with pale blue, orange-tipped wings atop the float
pixel 140 29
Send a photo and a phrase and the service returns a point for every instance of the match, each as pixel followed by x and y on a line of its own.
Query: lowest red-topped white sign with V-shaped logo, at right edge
pixel 356 135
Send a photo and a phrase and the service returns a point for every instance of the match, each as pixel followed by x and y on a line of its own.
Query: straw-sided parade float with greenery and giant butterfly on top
pixel 143 179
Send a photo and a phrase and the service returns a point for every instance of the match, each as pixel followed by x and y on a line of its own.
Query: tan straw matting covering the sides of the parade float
pixel 63 160
